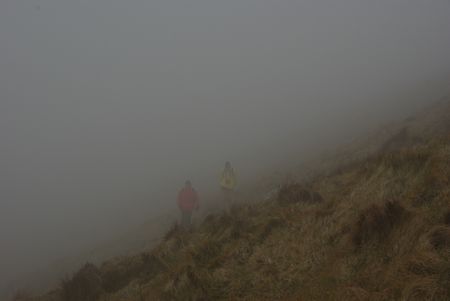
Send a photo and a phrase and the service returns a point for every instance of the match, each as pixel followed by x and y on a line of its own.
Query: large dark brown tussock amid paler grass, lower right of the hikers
pixel 376 222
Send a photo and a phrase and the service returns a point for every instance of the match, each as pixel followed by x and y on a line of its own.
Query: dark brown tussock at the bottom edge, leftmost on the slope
pixel 85 285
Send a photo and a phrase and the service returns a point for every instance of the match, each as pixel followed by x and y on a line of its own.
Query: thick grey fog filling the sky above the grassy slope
pixel 107 106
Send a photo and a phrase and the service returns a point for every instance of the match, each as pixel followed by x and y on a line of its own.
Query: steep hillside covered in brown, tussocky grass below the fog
pixel 373 228
